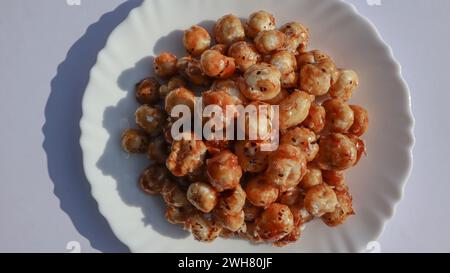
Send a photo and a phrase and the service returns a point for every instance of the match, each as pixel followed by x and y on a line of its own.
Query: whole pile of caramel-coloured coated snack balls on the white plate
pixel 233 188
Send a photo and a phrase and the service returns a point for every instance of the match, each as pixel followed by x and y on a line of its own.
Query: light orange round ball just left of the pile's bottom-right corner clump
pixel 320 199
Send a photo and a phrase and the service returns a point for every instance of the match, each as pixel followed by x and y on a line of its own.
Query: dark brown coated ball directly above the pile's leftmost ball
pixel 150 119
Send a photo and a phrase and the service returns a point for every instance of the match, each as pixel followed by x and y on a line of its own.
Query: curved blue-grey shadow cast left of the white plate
pixel 62 132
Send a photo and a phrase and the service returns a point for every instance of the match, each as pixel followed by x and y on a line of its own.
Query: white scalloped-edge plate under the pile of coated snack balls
pixel 138 220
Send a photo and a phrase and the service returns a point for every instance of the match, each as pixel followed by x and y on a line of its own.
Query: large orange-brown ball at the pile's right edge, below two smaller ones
pixel 336 152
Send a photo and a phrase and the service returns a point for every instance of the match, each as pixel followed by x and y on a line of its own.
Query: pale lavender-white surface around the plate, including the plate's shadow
pixel 38 38
